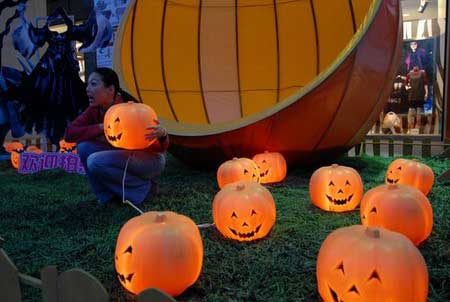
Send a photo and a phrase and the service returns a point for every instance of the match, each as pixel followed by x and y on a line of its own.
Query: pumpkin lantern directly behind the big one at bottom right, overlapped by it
pixel 398 208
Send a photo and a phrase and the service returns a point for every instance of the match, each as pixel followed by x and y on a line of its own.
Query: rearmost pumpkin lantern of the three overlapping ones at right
pixel 411 173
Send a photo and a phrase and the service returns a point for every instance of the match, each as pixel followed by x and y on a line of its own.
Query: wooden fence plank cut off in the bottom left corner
pixel 9 280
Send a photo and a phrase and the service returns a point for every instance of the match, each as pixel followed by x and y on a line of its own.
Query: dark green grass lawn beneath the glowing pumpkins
pixel 50 219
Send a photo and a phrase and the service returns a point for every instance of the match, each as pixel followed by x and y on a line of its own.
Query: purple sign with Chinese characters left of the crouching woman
pixel 33 162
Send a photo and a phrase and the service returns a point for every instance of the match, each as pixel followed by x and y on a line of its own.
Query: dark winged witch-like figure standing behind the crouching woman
pixel 53 94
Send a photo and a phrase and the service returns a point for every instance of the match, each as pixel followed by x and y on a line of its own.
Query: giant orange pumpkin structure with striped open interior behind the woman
pixel 232 78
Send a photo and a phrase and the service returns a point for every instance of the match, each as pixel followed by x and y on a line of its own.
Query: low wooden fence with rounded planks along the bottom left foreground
pixel 73 285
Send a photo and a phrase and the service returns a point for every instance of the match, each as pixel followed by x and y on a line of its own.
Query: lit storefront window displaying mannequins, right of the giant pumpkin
pixel 415 105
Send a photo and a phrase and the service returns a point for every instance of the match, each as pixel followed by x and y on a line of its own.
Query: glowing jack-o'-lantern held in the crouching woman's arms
pixel 126 125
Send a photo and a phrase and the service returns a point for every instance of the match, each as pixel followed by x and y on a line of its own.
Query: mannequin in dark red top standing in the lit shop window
pixel 417 86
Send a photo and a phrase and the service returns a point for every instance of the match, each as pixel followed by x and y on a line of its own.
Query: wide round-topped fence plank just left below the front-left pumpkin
pixel 76 285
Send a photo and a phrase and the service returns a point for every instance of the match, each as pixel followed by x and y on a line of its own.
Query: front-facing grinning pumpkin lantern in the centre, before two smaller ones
pixel 244 211
